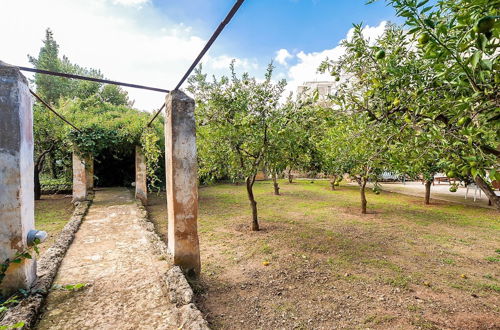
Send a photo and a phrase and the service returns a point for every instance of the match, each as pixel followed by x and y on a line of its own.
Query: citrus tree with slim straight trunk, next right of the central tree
pixel 364 139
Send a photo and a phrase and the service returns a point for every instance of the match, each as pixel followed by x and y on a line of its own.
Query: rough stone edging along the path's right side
pixel 180 292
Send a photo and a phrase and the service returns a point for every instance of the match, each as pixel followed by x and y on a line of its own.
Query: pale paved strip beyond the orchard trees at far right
pixel 439 192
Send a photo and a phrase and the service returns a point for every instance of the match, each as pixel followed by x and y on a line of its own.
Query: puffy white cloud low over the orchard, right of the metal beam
pixel 308 63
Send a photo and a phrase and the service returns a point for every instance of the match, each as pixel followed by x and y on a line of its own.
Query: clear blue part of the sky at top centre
pixel 262 26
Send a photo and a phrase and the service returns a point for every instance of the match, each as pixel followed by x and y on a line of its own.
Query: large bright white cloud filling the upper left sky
pixel 116 39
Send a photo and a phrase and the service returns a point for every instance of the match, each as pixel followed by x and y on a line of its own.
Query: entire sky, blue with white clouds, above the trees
pixel 153 42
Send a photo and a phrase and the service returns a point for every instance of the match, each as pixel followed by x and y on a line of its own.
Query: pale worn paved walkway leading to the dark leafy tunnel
pixel 113 256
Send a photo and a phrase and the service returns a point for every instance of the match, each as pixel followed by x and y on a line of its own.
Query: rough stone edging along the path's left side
pixel 27 310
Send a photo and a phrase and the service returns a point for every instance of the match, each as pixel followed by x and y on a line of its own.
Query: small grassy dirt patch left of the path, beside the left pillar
pixel 52 213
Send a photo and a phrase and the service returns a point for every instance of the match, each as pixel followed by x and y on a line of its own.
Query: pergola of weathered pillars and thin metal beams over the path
pixel 16 169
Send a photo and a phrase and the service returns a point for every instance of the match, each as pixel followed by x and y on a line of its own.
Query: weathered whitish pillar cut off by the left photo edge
pixel 16 177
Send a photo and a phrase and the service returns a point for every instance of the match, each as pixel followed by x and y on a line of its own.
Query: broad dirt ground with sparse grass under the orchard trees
pixel 318 263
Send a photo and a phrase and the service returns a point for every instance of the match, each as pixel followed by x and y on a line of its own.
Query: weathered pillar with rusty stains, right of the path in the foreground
pixel 182 182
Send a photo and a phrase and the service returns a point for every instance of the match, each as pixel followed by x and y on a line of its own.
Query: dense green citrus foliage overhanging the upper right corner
pixel 451 80
